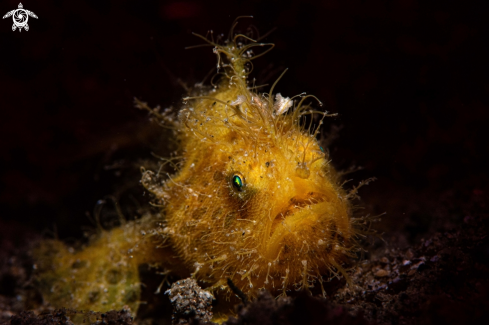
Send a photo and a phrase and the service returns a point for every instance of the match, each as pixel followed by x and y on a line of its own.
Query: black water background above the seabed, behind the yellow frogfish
pixel 409 79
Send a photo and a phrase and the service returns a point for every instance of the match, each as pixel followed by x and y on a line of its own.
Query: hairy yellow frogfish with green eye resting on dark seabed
pixel 255 200
